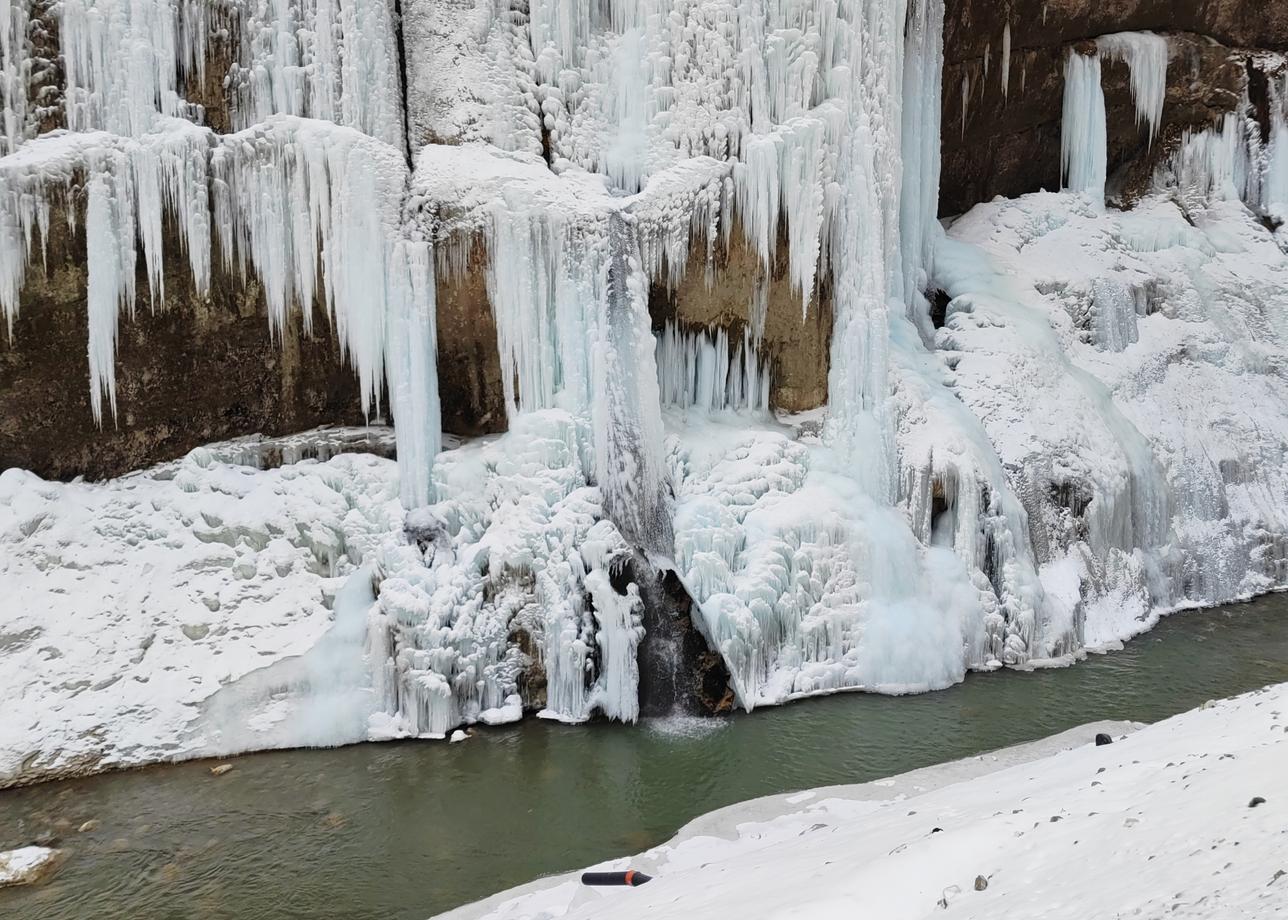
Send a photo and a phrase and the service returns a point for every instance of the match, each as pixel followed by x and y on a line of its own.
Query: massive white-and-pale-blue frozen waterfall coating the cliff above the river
pixel 1063 459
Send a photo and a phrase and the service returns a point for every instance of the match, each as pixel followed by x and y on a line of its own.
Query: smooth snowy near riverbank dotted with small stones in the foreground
pixel 1061 828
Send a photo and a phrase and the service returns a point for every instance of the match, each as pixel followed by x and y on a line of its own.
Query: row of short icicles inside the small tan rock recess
pixel 703 370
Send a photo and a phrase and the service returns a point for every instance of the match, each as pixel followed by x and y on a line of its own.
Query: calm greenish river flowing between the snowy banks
pixel 406 830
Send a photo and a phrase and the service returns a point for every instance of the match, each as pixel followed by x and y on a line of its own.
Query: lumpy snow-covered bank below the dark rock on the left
pixel 135 610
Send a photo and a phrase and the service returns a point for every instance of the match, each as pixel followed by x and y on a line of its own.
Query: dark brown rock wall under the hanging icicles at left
pixel 194 372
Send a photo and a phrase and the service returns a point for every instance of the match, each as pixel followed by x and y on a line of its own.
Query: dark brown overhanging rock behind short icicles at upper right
pixel 1010 145
